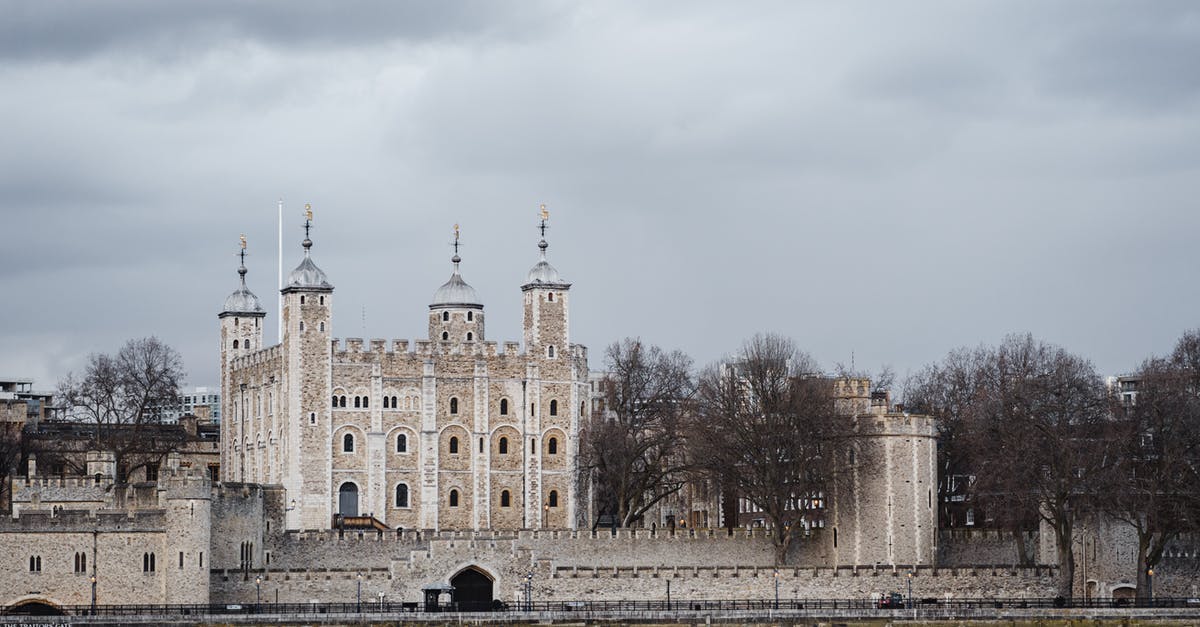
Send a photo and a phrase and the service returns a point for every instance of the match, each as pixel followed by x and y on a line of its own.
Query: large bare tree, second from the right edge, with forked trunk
pixel 1040 438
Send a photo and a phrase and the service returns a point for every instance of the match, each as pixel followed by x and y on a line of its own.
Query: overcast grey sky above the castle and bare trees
pixel 884 182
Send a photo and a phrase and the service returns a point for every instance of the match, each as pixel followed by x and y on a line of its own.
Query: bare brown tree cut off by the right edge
pixel 1156 488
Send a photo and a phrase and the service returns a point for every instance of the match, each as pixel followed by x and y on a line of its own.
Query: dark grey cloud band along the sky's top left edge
pixel 63 31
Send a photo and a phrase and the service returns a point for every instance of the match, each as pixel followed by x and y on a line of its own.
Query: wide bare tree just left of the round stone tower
pixel 766 428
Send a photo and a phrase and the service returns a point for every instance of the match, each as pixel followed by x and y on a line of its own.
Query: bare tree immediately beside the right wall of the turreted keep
pixel 634 449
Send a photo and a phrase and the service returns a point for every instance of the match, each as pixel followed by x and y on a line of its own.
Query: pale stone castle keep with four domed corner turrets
pixel 454 432
